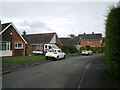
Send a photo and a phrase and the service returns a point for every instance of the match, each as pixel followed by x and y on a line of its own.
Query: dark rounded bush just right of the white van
pixel 69 49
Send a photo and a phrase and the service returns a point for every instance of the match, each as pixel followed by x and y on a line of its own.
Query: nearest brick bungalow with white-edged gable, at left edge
pixel 11 42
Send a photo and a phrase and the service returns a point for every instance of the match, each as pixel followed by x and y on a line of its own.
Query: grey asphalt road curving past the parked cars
pixel 66 73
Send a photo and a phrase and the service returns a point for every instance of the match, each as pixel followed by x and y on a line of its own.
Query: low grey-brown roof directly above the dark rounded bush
pixel 69 41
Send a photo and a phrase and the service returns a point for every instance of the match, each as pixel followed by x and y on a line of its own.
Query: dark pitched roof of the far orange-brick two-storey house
pixel 90 36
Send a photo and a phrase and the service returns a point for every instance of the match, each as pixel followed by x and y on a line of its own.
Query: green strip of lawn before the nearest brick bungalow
pixel 22 59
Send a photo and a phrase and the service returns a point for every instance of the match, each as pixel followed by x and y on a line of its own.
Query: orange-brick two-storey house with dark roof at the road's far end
pixel 93 40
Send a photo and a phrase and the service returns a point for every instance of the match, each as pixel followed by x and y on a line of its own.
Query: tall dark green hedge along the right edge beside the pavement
pixel 112 43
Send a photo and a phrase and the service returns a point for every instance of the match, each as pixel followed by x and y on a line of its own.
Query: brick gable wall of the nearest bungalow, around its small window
pixel 11 35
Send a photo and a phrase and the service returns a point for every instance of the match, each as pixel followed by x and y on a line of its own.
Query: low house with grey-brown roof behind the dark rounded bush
pixel 72 40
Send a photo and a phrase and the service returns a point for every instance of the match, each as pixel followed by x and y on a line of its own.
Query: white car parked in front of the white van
pixel 55 54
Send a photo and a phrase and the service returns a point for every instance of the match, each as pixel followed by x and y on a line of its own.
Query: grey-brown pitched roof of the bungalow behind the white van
pixel 39 38
